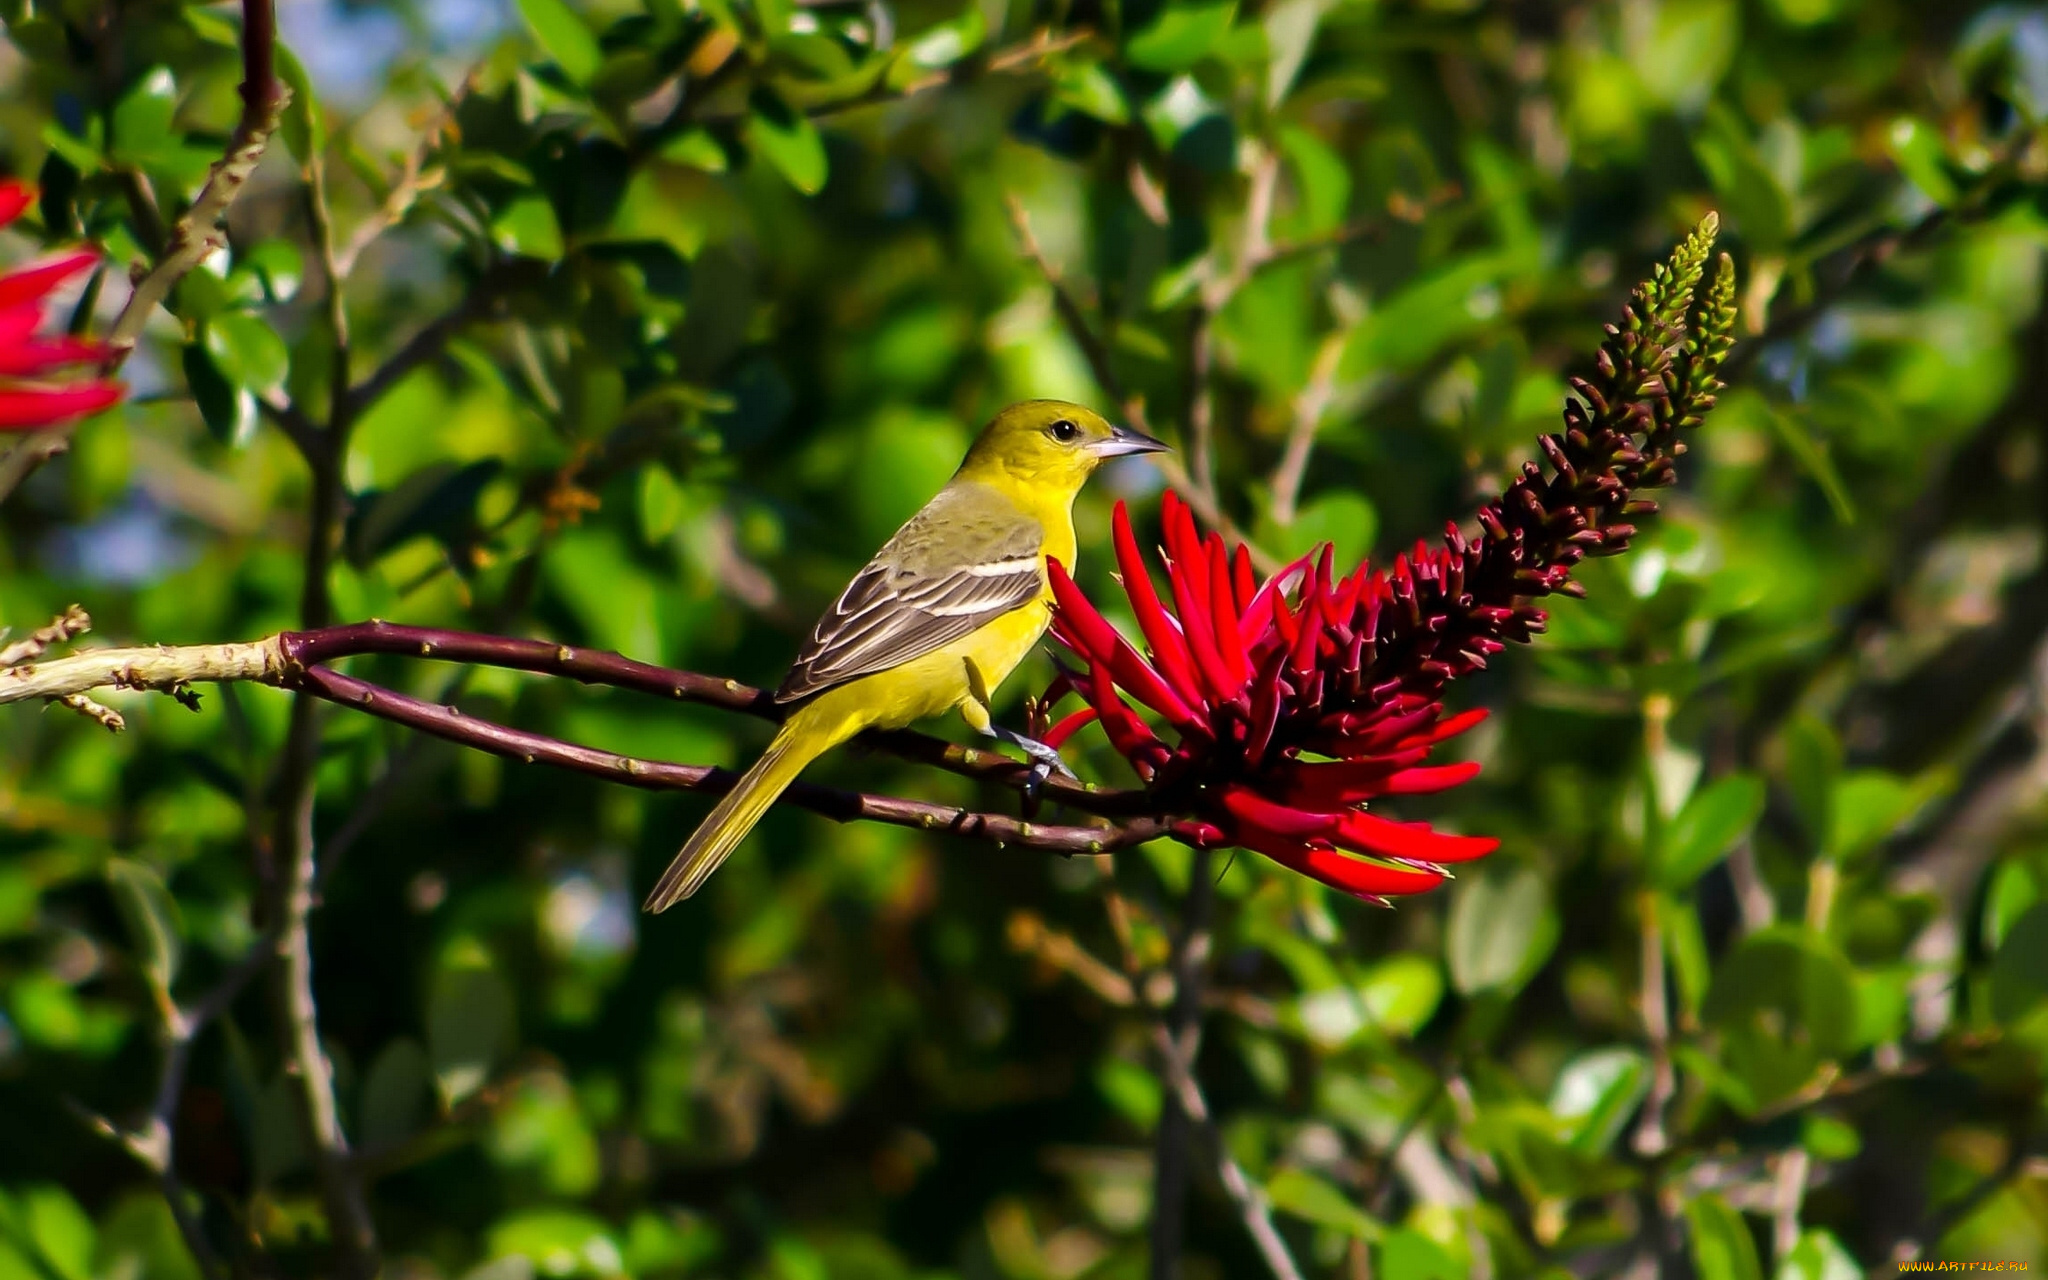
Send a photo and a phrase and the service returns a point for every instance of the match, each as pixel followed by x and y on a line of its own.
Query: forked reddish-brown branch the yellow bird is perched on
pixel 296 660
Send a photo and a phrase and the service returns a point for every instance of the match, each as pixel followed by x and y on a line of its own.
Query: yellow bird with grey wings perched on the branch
pixel 943 613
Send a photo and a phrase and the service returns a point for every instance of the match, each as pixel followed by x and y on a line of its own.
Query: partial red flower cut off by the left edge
pixel 32 368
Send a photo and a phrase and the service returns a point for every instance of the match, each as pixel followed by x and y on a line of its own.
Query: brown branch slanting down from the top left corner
pixel 198 234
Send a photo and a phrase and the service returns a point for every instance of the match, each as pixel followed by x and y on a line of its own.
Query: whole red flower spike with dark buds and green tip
pixel 1302 701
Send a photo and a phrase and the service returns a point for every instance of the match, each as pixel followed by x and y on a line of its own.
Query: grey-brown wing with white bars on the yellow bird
pixel 962 562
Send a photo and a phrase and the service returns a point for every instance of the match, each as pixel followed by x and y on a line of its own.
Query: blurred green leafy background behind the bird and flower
pixel 714 296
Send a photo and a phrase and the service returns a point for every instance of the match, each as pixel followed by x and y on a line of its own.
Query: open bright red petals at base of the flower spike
pixel 1281 738
